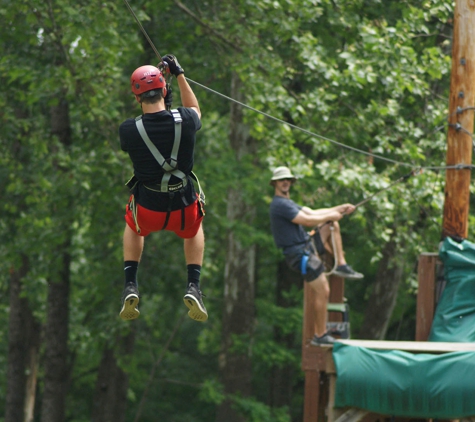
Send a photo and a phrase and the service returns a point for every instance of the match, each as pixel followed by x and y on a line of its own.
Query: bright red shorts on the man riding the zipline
pixel 153 221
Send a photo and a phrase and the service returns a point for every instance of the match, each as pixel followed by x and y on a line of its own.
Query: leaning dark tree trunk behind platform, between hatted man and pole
pixel 383 298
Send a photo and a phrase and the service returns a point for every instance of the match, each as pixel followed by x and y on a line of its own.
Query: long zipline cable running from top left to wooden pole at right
pixel 312 134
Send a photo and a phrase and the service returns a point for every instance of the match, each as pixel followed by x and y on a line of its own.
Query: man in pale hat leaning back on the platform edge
pixel 301 250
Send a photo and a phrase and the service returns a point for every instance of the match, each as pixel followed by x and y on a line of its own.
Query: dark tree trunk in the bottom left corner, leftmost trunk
pixel 23 346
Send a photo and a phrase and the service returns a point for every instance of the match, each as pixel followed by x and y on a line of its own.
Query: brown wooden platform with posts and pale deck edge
pixel 317 362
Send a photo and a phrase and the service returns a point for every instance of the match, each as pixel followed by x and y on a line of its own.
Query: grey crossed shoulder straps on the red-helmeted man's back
pixel 169 168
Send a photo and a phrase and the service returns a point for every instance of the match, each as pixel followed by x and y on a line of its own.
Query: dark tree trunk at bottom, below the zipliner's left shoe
pixel 110 398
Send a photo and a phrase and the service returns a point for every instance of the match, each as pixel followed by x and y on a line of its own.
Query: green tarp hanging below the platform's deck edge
pixel 396 383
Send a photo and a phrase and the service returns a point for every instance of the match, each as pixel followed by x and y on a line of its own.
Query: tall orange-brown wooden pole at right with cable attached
pixel 461 112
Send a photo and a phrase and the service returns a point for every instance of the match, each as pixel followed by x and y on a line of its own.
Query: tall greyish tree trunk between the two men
pixel 238 317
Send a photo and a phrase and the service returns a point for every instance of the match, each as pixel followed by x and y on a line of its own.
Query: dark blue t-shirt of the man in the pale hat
pixel 288 236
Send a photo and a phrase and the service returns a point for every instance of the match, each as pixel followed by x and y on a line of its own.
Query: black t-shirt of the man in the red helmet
pixel 160 128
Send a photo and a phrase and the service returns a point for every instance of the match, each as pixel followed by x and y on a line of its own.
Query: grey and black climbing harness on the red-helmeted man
pixel 170 168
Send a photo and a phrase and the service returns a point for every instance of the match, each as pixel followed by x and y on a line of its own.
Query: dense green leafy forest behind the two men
pixel 369 74
